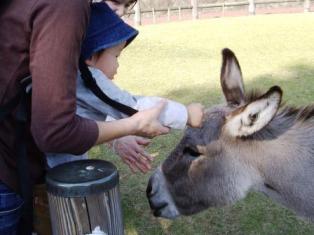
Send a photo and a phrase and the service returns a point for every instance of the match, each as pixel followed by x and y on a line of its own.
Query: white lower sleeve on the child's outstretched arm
pixel 174 115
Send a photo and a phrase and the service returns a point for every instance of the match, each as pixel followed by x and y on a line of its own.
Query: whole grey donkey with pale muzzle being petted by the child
pixel 250 143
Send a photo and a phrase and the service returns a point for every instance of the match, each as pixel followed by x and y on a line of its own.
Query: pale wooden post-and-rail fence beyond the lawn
pixel 194 8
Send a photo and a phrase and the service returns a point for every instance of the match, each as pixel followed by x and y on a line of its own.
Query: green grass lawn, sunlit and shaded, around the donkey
pixel 182 61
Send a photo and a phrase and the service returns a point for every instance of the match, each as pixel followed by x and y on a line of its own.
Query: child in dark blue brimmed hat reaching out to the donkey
pixel 101 48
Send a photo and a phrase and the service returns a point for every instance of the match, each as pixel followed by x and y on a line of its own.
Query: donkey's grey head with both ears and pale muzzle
pixel 207 167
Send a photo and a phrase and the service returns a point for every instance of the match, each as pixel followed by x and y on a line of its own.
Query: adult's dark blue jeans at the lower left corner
pixel 10 210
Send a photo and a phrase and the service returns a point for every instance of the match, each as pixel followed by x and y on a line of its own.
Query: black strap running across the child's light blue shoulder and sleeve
pixel 90 82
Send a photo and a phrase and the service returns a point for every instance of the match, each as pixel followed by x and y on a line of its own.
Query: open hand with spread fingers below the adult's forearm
pixel 131 149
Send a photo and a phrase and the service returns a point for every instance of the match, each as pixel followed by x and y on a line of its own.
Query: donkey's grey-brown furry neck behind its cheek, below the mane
pixel 285 164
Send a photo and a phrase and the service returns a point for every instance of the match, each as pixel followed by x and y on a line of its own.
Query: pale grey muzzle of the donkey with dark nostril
pixel 159 198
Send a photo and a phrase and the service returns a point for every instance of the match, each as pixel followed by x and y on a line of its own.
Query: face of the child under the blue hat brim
pixel 107 61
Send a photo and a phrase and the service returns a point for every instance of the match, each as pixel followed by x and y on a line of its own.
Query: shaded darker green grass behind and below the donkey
pixel 254 215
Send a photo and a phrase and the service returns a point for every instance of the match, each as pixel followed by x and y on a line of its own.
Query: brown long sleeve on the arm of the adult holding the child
pixel 57 28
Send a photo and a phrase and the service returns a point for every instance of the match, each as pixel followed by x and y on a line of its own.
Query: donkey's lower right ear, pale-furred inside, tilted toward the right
pixel 254 116
